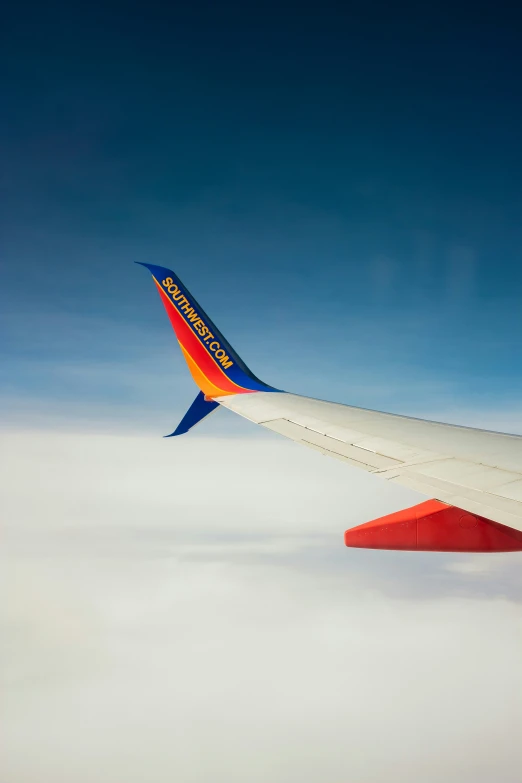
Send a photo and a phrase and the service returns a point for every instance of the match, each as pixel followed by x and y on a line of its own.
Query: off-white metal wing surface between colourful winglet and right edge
pixel 476 470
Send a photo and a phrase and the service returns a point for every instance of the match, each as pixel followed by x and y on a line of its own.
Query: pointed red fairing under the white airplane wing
pixel 435 527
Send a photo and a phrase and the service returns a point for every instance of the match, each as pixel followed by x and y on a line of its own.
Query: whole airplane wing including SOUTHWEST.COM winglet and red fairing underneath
pixel 473 476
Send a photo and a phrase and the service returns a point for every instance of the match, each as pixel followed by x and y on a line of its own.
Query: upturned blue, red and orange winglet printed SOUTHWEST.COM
pixel 215 367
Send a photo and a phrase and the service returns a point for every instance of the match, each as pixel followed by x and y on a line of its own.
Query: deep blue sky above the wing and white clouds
pixel 342 192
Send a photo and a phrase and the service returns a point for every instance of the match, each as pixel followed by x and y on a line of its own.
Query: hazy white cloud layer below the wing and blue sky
pixel 186 610
